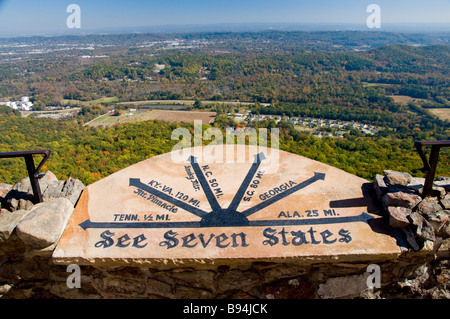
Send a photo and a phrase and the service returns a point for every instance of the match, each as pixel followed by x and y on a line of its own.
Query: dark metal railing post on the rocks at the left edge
pixel 33 171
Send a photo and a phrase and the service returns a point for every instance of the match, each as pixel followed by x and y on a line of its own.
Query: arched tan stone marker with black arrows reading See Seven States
pixel 225 205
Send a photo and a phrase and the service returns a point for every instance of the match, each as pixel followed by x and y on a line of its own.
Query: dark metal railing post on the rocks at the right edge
pixel 430 165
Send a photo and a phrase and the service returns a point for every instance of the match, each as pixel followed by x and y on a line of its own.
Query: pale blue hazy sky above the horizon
pixel 30 17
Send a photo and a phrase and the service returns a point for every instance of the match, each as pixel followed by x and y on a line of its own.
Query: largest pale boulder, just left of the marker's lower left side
pixel 45 223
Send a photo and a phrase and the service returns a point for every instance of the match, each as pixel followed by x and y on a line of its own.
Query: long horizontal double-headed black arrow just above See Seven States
pixel 364 217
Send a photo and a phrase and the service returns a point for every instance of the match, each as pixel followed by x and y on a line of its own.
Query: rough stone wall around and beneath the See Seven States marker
pixel 29 233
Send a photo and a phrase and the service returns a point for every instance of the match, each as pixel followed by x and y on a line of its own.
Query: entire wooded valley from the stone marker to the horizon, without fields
pixel 322 75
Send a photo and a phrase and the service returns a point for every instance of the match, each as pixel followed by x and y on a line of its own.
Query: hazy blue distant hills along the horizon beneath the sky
pixel 245 40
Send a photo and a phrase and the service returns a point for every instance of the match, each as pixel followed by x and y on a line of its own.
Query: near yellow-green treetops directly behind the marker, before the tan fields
pixel 92 153
